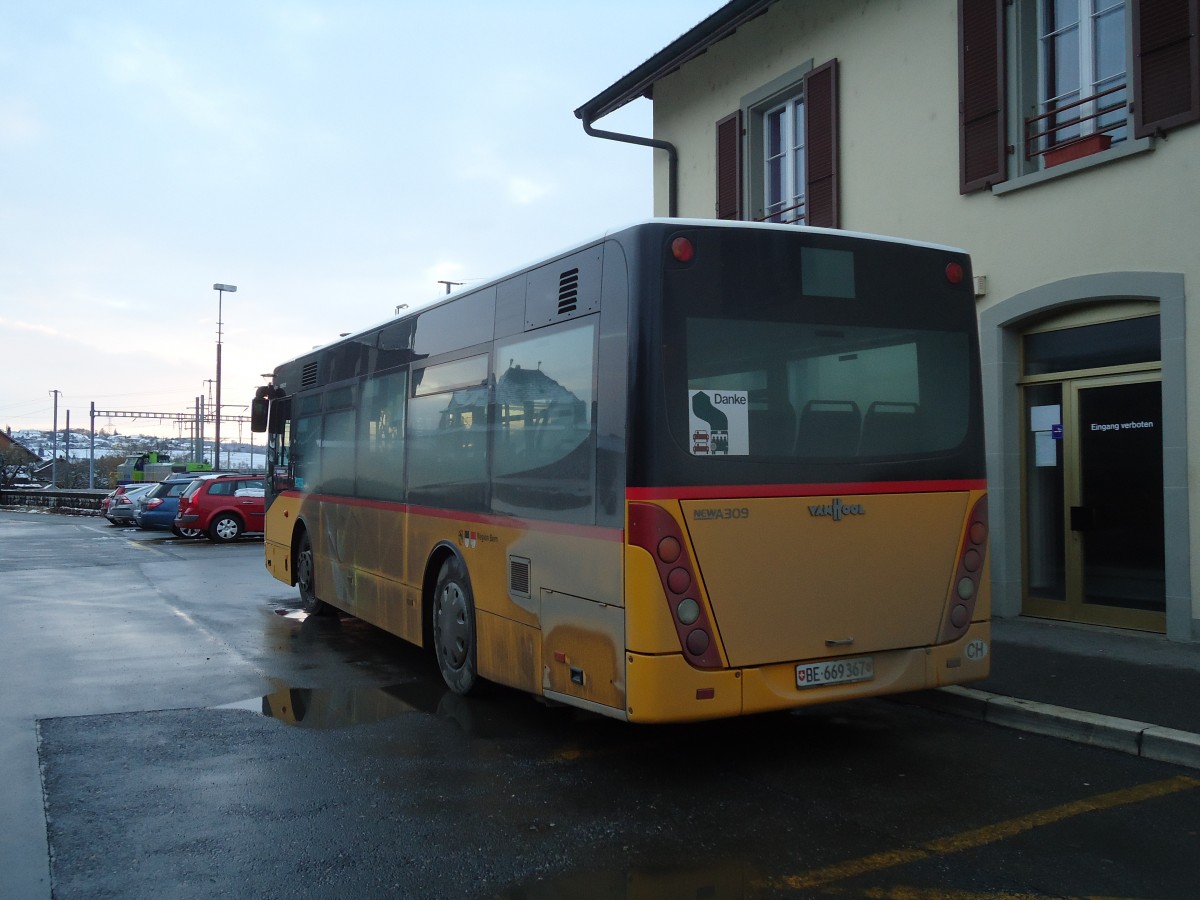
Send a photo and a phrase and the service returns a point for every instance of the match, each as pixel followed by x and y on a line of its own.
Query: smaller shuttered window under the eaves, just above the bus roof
pixel 788 135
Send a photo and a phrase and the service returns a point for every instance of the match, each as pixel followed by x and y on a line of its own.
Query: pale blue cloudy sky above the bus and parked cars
pixel 331 159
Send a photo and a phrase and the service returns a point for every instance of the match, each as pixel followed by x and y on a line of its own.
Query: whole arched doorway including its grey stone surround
pixel 1025 567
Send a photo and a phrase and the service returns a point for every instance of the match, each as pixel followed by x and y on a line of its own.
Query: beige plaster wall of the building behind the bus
pixel 899 164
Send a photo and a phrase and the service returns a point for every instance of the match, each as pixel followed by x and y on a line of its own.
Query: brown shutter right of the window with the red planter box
pixel 1167 64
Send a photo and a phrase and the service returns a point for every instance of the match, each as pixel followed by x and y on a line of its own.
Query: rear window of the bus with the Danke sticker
pixel 787 389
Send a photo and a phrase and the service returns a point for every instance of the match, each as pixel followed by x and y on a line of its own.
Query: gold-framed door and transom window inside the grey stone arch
pixel 1093 469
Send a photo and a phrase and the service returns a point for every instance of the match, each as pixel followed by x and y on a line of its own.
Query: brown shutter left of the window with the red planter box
pixel 982 140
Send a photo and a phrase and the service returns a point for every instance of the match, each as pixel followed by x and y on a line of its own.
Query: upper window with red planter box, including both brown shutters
pixel 1039 75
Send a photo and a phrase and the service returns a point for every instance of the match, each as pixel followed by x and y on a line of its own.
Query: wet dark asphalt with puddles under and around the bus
pixel 173 728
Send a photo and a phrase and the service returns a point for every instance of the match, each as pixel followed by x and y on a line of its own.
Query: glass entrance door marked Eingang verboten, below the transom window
pixel 1094 502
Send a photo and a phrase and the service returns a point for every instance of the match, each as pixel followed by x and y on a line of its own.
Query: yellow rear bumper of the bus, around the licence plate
pixel 664 689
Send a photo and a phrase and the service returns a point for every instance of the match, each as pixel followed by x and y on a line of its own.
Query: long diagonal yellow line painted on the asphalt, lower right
pixel 982 837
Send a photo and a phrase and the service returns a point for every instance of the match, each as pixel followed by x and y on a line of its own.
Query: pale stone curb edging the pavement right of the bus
pixel 1151 742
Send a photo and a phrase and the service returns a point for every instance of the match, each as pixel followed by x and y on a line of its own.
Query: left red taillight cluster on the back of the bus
pixel 656 531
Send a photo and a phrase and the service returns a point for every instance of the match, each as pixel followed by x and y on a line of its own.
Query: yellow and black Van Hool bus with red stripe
pixel 686 471
